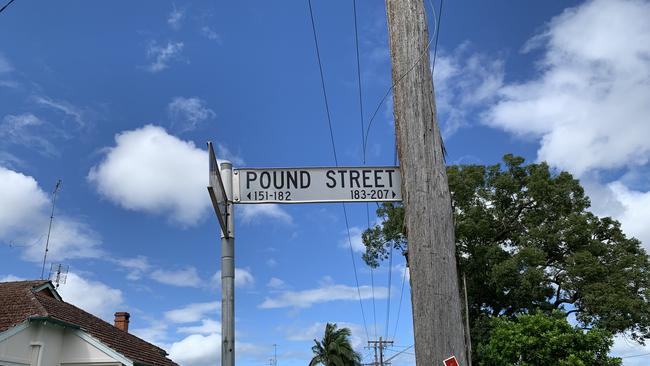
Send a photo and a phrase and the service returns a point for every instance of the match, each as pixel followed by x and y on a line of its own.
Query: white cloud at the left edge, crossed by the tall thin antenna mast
pixel 24 219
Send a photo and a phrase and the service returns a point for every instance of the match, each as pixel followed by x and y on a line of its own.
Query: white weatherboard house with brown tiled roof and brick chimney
pixel 38 328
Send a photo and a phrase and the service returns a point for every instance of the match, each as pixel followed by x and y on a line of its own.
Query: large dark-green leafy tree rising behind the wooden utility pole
pixel 526 241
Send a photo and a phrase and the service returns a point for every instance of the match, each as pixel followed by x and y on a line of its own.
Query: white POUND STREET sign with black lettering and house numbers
pixel 329 184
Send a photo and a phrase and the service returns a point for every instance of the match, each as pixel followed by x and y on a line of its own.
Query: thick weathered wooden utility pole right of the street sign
pixel 435 295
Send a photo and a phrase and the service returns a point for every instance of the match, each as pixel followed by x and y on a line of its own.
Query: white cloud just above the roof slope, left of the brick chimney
pixel 94 297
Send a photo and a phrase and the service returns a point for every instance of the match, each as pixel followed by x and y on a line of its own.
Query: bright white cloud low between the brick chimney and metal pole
pixel 197 350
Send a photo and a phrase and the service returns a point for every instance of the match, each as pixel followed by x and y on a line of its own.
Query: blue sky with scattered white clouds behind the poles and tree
pixel 117 99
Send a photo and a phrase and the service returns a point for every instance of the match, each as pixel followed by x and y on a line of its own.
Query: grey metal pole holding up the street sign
pixel 228 274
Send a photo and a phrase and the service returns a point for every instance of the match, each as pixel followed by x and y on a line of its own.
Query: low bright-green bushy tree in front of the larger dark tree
pixel 543 339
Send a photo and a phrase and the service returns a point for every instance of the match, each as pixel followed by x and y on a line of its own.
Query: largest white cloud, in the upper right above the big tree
pixel 589 104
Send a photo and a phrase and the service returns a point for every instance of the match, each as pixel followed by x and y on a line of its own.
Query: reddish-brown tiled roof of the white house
pixel 22 300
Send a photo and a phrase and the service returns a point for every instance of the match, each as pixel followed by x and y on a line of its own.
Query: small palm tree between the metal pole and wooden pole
pixel 335 349
